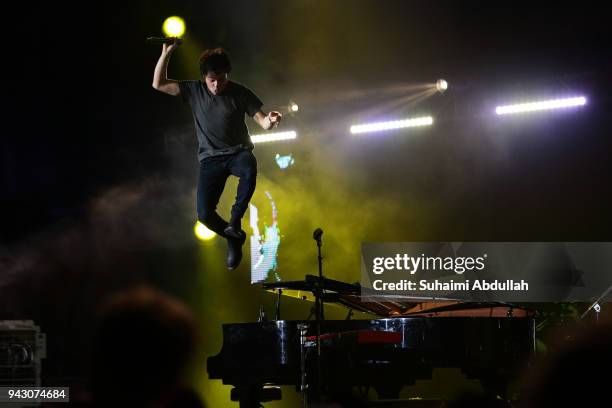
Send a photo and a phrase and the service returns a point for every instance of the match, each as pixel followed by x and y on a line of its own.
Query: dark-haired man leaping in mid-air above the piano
pixel 218 106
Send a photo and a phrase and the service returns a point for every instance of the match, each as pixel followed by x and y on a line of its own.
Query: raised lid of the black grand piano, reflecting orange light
pixel 350 296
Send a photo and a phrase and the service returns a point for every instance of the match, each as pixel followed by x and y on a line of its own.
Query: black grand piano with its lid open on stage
pixel 341 360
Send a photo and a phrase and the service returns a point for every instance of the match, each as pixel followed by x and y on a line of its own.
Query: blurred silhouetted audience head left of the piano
pixel 145 339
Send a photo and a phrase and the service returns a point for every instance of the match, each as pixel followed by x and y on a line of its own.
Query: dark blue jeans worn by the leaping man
pixel 214 172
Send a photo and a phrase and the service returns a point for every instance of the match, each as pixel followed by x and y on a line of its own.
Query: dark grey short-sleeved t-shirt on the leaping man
pixel 219 120
